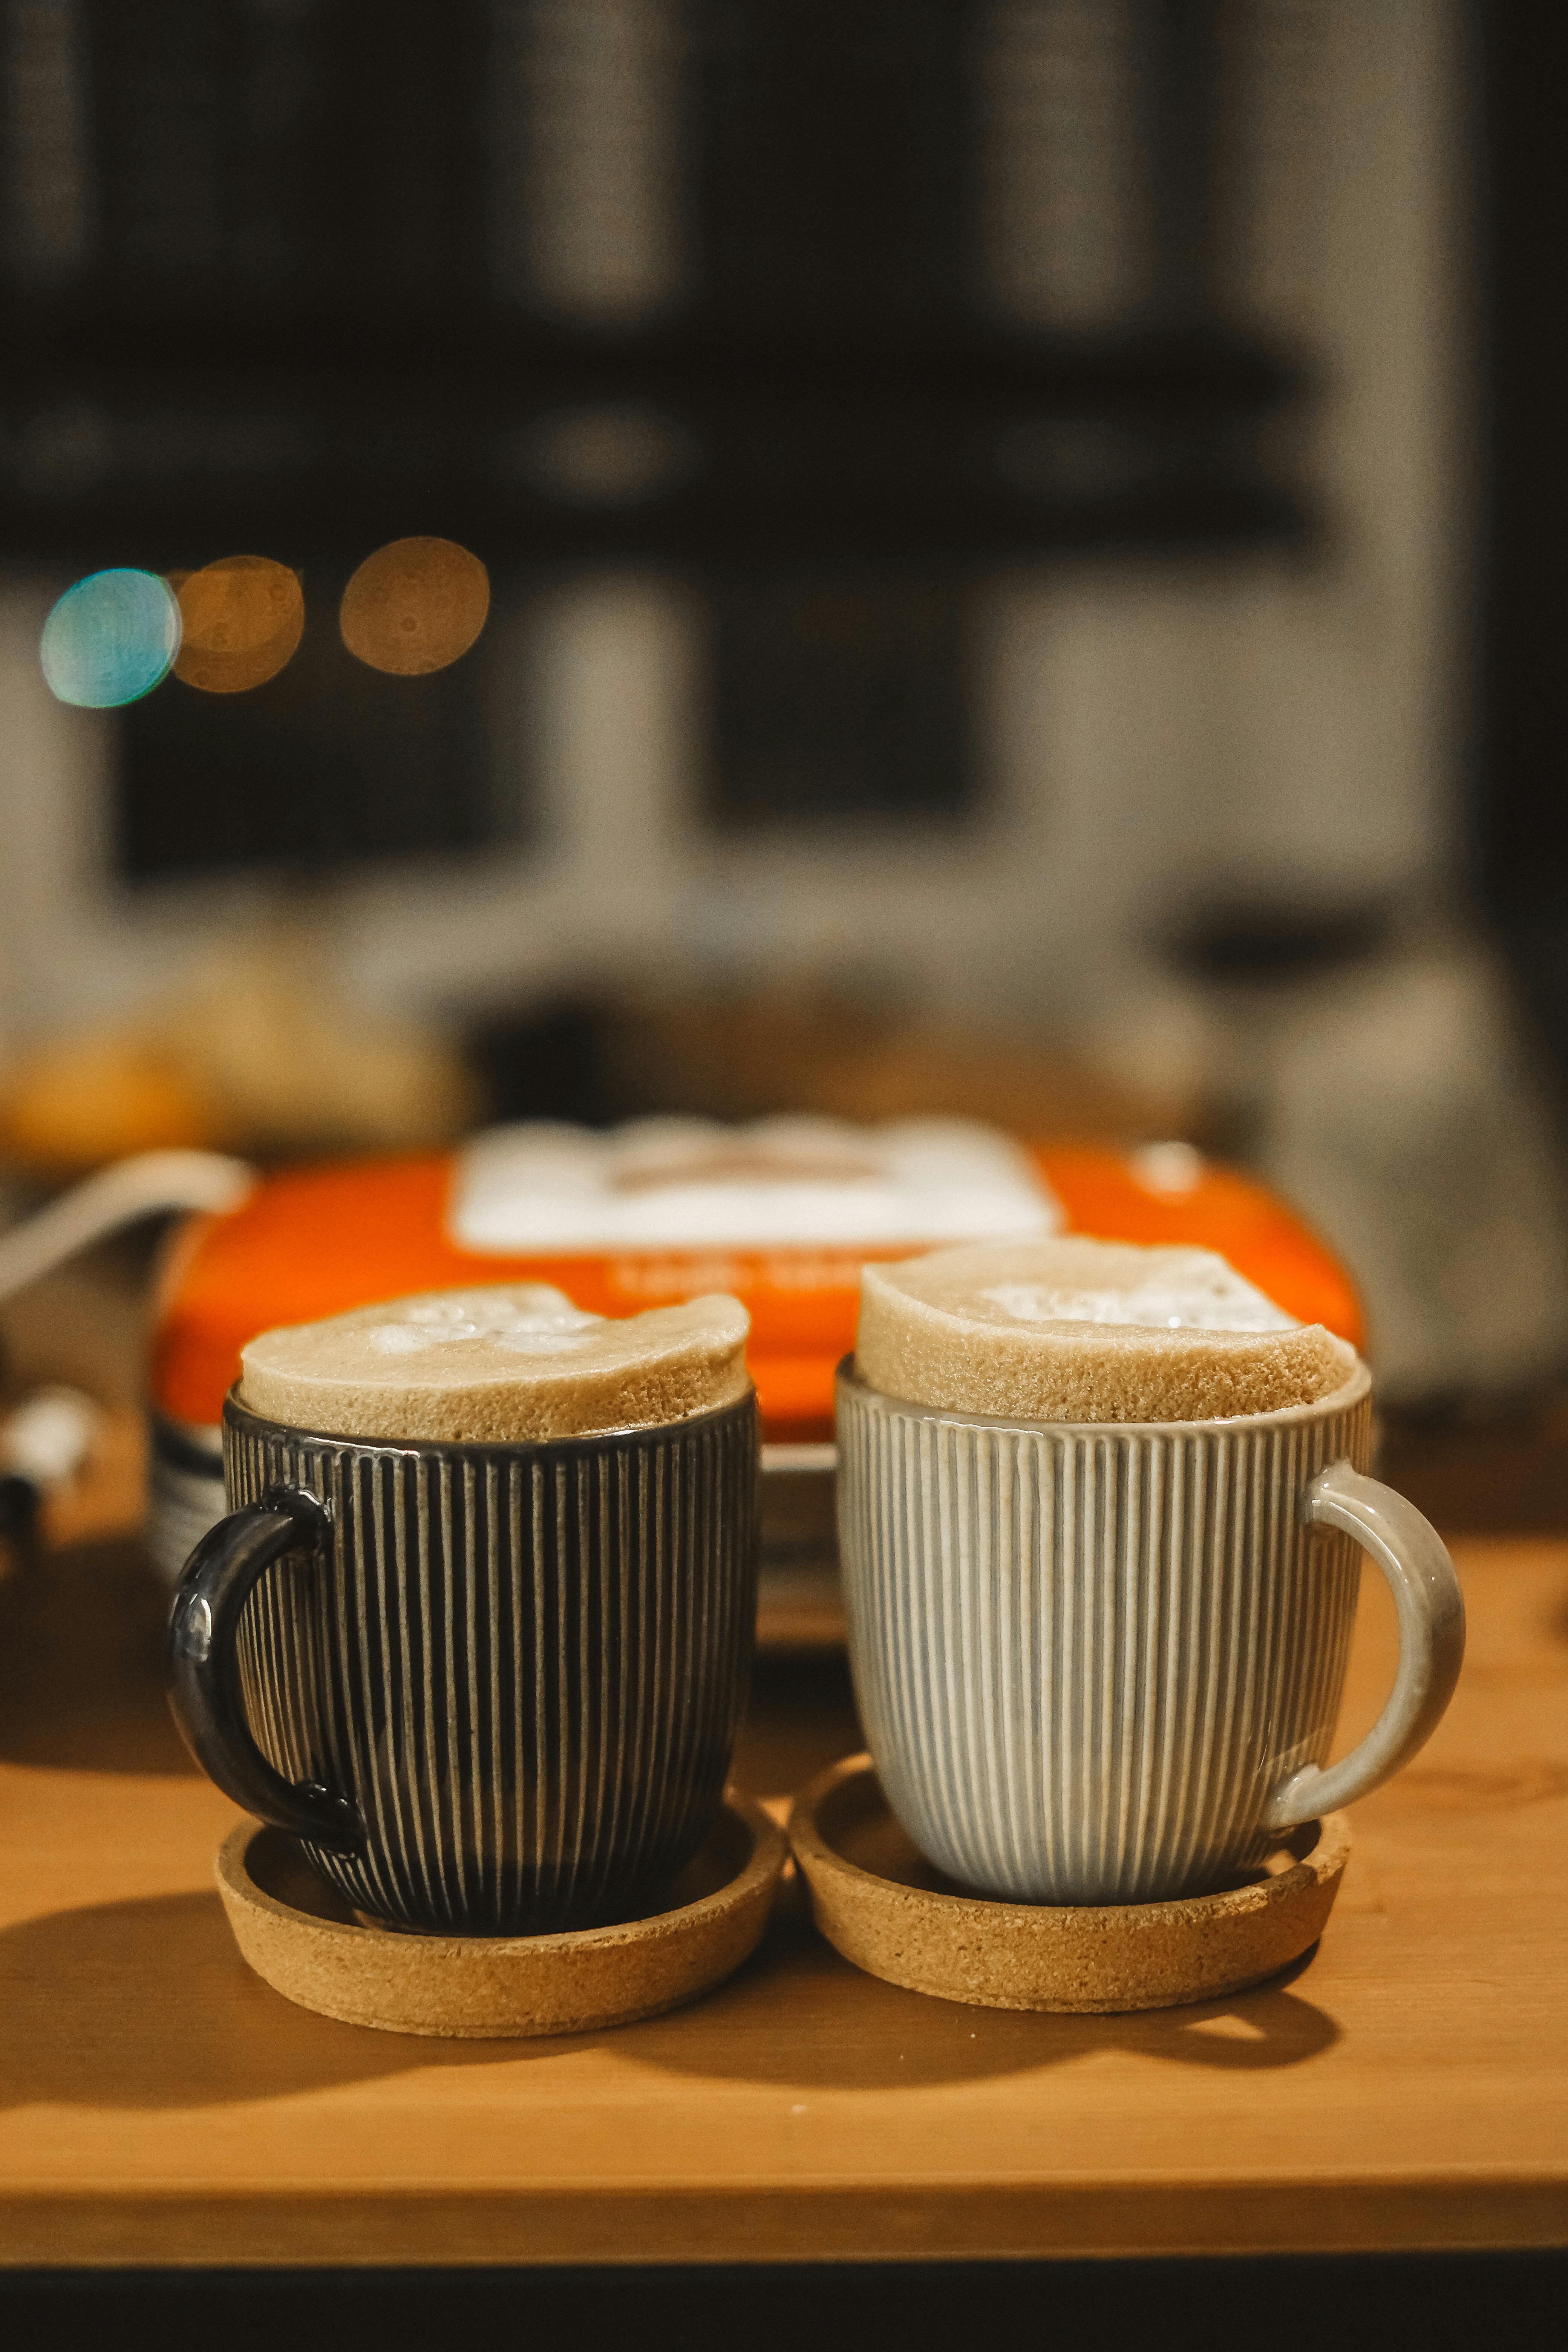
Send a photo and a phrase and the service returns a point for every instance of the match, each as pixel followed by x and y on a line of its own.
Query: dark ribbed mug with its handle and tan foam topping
pixel 478 1624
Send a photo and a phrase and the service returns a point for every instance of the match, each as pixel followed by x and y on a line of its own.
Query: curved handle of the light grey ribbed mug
pixel 1426 1589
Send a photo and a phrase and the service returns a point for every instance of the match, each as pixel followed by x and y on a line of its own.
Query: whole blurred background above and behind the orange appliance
pixel 970 556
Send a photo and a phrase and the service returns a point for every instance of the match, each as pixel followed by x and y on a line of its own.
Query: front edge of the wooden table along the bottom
pixel 808 2224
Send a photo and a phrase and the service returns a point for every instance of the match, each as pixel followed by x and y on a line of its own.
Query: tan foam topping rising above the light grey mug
pixel 1078 1330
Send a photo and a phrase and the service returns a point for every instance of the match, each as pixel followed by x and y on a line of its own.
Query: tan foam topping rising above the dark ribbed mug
pixel 497 1365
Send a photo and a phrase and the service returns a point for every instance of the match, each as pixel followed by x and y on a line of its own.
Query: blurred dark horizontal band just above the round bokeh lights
pixel 688 446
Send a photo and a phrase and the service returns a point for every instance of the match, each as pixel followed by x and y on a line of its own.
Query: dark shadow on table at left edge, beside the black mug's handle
pixel 81 1664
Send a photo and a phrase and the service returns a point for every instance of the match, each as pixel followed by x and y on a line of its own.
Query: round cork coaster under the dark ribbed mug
pixel 309 1946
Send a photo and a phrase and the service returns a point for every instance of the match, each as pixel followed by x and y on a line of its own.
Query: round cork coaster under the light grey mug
pixel 880 1904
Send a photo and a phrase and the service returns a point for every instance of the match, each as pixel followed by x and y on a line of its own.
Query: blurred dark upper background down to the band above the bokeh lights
pixel 730 283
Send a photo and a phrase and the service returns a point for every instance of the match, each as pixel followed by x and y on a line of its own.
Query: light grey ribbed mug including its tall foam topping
pixel 1101 1521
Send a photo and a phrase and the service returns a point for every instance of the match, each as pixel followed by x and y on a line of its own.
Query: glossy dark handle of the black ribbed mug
pixel 206 1666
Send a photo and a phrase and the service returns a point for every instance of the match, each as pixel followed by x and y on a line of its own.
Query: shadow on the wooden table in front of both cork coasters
pixel 149 2005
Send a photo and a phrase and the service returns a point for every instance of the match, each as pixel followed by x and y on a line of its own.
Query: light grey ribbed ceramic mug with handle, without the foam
pixel 1104 1662
